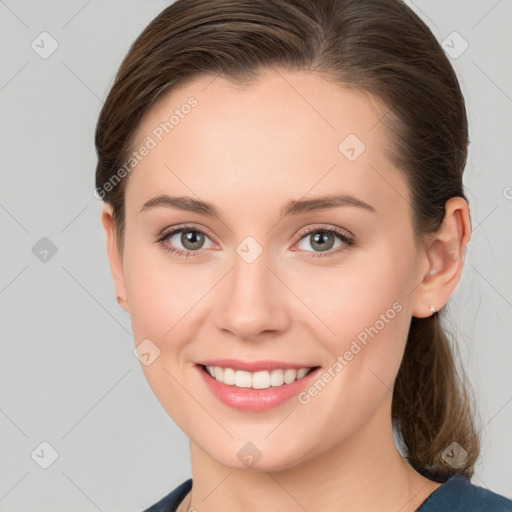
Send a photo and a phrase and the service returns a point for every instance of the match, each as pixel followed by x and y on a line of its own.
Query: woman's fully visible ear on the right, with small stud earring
pixel 444 255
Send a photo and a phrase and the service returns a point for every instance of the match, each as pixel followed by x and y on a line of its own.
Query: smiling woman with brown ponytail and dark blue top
pixel 285 219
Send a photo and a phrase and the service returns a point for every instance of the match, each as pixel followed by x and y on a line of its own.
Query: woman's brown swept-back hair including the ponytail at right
pixel 378 46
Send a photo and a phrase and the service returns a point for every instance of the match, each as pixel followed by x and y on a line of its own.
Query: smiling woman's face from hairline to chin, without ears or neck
pixel 266 281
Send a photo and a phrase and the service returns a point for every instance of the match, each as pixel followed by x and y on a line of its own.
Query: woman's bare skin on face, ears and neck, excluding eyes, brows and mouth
pixel 249 151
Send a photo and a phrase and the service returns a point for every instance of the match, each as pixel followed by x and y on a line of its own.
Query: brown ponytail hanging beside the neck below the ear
pixel 432 407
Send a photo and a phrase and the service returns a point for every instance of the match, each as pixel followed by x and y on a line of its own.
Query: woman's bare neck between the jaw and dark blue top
pixel 363 472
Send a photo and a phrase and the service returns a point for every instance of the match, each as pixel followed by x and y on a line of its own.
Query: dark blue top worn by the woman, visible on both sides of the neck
pixel 457 494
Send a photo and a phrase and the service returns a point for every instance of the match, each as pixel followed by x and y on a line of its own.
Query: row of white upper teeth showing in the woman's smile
pixel 255 380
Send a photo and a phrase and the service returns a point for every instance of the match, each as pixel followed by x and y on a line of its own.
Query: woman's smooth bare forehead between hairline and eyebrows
pixel 286 135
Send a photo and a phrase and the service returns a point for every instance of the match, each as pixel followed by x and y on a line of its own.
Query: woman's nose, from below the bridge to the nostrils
pixel 253 302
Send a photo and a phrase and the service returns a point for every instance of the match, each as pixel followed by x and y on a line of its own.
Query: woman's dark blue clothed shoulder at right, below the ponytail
pixel 458 494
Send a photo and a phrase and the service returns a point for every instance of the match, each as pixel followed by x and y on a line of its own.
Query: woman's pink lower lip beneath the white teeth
pixel 255 400
